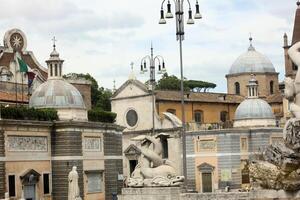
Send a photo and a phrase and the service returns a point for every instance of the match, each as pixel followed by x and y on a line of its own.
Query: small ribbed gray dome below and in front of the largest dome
pixel 254 109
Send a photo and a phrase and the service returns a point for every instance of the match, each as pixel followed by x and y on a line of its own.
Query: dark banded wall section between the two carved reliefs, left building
pixel 66 143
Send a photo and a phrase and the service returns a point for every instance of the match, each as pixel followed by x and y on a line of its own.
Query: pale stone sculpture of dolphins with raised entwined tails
pixel 152 170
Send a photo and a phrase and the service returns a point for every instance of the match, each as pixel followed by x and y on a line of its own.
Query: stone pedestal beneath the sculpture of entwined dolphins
pixel 151 193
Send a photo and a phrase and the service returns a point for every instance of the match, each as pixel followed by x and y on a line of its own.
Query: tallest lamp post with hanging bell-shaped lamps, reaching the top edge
pixel 179 16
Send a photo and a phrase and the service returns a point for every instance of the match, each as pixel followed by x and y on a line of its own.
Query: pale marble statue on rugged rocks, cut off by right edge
pixel 279 166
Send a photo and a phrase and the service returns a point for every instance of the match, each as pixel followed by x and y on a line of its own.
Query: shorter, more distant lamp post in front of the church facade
pixel 152 61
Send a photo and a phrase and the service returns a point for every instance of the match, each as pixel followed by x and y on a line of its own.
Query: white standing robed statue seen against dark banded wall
pixel 73 193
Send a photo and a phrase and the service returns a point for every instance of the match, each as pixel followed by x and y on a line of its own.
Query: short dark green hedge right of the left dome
pixel 97 115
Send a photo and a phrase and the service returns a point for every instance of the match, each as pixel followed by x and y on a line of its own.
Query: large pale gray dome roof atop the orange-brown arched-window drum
pixel 251 62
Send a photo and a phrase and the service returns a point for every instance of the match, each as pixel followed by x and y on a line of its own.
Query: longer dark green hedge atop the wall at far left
pixel 25 113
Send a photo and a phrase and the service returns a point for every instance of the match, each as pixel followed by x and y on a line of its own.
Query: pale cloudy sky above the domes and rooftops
pixel 102 37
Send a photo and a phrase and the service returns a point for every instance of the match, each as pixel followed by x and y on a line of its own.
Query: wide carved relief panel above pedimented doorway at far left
pixel 27 143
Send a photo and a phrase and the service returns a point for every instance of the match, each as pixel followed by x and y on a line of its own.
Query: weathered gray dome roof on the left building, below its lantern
pixel 56 93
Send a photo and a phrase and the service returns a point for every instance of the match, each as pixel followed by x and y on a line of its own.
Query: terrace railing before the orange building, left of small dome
pixel 195 126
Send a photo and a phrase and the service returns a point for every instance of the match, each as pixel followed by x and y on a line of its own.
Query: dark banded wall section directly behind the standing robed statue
pixel 60 171
